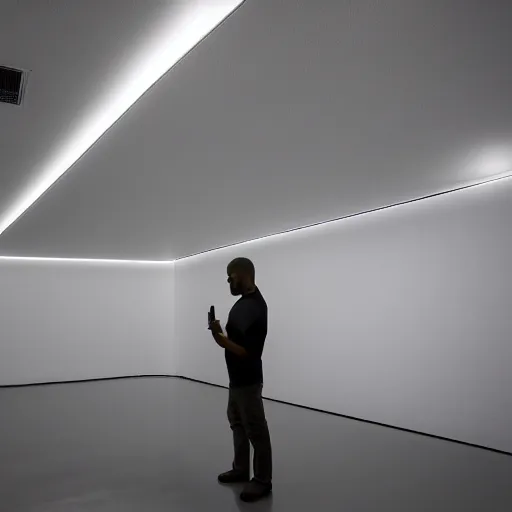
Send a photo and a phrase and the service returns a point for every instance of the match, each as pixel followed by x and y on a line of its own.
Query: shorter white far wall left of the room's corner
pixel 80 320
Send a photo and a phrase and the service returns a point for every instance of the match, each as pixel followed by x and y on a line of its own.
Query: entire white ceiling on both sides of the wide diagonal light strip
pixel 292 112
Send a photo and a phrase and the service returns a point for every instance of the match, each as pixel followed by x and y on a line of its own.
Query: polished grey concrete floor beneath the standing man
pixel 155 445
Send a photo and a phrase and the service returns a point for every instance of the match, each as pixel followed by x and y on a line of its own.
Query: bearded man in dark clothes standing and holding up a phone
pixel 243 342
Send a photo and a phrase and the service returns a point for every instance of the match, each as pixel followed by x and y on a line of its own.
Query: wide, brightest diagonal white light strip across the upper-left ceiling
pixel 174 39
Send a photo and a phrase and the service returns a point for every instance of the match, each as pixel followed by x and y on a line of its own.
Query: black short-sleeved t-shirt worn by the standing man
pixel 247 326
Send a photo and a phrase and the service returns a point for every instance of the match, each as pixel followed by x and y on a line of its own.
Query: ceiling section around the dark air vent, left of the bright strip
pixel 74 51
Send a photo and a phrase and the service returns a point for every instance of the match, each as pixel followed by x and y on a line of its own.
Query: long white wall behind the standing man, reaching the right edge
pixel 401 316
